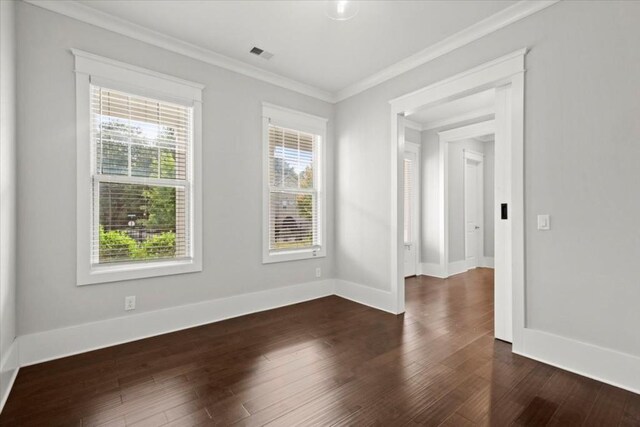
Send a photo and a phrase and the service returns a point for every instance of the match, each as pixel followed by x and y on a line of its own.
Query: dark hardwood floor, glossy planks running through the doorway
pixel 323 362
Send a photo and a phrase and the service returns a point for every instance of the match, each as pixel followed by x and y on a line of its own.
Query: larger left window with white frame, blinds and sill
pixel 139 172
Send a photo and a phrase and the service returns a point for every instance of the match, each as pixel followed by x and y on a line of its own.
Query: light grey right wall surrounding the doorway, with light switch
pixel 581 151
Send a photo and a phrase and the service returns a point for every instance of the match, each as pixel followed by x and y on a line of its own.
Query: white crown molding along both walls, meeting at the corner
pixel 507 16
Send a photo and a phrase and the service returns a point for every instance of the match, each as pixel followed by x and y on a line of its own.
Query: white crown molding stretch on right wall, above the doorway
pixel 487 26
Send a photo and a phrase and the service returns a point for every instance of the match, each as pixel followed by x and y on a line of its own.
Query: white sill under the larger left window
pixel 117 273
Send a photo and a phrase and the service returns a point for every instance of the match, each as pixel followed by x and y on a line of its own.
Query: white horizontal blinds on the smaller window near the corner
pixel 293 189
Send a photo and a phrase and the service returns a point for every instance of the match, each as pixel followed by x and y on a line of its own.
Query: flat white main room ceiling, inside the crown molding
pixel 308 47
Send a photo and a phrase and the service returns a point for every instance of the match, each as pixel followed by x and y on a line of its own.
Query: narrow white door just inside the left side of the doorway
pixel 411 211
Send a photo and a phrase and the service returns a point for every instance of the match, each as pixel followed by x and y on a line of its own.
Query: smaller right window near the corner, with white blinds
pixel 294 198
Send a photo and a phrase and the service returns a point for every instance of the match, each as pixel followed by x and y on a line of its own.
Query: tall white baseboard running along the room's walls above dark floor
pixel 609 366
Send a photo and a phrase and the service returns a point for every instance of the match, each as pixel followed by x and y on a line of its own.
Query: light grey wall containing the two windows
pixel 232 132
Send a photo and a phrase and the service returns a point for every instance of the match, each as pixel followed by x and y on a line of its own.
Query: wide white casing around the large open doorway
pixel 506 71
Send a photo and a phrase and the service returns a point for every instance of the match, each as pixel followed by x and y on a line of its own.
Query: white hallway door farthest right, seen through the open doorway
pixel 472 215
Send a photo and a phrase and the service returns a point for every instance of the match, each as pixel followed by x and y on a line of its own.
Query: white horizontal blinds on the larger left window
pixel 141 175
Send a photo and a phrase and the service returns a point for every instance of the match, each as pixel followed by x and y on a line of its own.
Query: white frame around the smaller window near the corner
pixel 303 122
